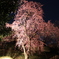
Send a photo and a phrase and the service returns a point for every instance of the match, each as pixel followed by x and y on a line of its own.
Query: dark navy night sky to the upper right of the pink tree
pixel 50 8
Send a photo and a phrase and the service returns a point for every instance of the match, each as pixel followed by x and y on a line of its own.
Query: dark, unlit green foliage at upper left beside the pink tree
pixel 7 11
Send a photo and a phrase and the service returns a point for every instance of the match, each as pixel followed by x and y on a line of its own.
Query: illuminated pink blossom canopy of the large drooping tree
pixel 29 27
